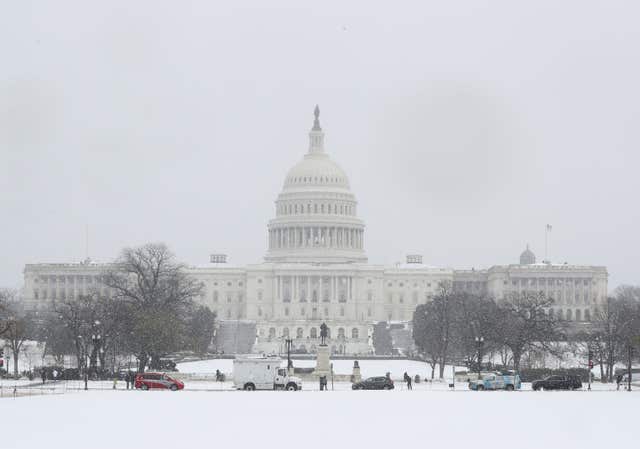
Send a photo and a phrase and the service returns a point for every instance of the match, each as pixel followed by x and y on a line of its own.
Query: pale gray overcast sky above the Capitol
pixel 464 126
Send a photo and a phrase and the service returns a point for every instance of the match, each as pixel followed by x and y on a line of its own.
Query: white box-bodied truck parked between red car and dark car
pixel 263 373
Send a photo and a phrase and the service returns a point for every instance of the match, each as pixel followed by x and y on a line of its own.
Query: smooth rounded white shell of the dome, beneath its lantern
pixel 317 170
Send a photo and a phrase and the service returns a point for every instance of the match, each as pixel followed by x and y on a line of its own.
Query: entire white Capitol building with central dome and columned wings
pixel 316 270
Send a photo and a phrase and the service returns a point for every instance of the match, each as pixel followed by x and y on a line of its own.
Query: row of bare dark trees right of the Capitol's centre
pixel 463 329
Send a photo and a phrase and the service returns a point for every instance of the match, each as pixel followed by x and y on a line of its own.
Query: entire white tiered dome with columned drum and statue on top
pixel 316 214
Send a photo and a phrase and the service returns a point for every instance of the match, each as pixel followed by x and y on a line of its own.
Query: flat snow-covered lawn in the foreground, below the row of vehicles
pixel 313 419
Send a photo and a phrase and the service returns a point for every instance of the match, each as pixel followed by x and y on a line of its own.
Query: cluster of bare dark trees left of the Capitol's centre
pixel 149 312
